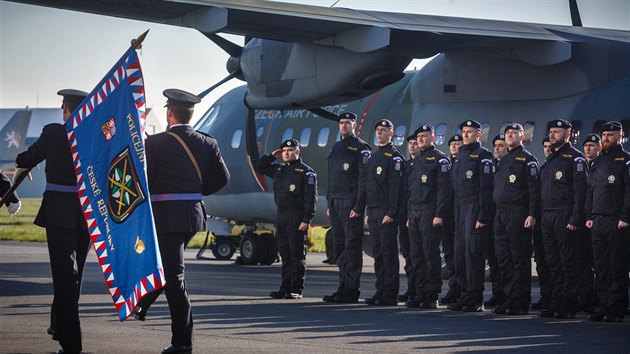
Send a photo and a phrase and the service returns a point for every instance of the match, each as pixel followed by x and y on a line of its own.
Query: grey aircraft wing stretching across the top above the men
pixel 355 30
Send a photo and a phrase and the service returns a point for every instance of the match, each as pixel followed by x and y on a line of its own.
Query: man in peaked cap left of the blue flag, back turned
pixel 61 214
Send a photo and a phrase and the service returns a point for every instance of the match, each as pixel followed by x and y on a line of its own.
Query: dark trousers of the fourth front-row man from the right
pixel 470 250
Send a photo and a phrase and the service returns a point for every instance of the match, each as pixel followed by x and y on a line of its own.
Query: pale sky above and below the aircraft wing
pixel 43 50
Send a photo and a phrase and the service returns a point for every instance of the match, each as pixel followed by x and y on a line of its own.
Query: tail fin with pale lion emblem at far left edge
pixel 13 135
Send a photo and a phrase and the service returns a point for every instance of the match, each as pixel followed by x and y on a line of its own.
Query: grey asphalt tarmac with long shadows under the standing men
pixel 232 314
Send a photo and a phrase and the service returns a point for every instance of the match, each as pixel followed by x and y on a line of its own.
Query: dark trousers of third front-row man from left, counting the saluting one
pixel 383 238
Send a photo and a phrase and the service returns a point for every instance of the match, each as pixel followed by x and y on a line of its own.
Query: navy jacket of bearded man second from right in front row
pixel 563 178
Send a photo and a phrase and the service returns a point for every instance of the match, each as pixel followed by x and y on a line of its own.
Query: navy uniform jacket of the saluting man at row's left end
pixel 294 185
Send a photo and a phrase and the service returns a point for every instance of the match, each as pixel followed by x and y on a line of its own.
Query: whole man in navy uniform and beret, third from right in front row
pixel 517 199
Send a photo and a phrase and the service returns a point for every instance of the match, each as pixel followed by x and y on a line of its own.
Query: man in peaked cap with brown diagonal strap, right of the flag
pixel 182 165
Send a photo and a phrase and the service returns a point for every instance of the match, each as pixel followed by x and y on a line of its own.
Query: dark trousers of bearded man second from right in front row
pixel 560 254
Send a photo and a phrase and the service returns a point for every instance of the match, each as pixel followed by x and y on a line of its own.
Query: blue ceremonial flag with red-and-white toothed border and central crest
pixel 106 136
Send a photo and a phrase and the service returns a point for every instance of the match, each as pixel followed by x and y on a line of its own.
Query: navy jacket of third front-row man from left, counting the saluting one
pixel 382 185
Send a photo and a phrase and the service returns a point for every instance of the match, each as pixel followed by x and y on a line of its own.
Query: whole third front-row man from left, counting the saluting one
pixel 381 188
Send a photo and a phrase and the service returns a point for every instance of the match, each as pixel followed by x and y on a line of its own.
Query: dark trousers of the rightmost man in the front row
pixel 610 250
